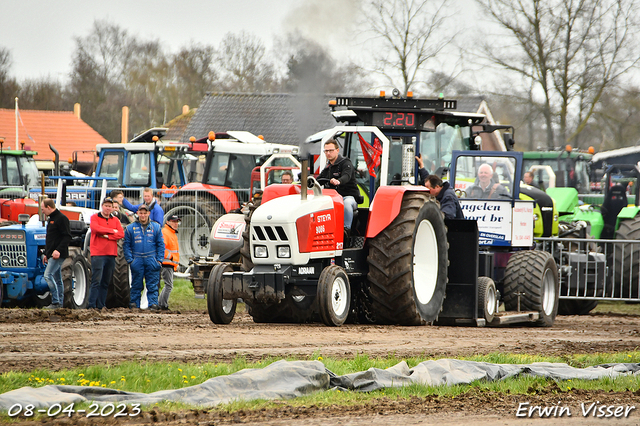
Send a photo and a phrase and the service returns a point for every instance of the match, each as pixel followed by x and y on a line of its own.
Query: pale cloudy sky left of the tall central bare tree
pixel 40 33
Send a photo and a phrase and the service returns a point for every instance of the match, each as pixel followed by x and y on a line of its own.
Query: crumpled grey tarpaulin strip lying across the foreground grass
pixel 290 379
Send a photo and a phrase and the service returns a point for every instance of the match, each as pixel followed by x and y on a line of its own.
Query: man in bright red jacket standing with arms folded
pixel 106 230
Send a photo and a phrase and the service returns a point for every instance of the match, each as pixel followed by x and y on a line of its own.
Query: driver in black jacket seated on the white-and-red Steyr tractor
pixel 341 175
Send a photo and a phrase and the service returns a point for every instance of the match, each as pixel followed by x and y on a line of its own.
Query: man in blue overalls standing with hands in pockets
pixel 144 252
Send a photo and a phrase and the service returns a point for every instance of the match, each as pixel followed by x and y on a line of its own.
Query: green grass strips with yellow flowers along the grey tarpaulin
pixel 151 377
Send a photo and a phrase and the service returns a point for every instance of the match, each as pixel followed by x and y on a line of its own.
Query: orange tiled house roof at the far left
pixel 37 129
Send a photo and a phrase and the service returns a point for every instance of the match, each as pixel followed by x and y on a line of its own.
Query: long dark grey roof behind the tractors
pixel 280 118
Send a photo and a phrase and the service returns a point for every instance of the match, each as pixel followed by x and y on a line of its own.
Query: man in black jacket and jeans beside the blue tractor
pixel 56 251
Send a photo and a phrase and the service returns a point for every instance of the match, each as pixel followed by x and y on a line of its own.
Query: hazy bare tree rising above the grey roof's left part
pixel 245 67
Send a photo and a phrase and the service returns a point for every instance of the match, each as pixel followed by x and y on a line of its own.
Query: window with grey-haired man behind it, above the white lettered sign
pixel 485 177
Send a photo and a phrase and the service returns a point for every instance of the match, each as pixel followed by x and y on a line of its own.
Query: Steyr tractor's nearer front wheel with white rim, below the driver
pixel 334 295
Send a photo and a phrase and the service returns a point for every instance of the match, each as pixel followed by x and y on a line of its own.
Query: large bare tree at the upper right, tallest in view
pixel 570 51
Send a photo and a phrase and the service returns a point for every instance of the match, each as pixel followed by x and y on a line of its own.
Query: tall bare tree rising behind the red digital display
pixel 412 34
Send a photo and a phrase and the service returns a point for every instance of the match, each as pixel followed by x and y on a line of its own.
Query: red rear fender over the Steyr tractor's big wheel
pixel 385 207
